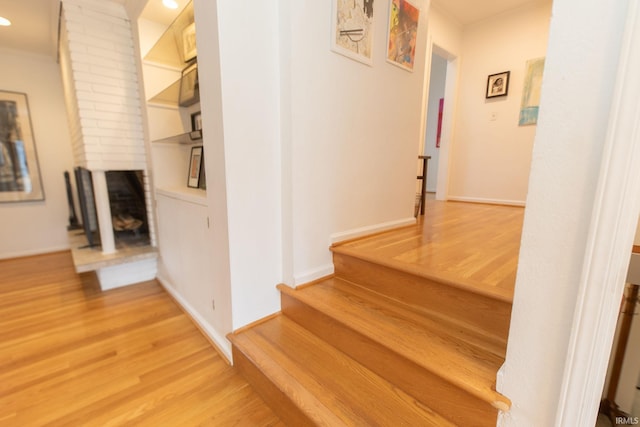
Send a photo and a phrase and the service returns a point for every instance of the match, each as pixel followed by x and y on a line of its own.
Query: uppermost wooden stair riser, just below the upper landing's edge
pixel 489 314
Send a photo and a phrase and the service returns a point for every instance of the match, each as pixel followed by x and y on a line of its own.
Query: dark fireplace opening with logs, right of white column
pixel 128 207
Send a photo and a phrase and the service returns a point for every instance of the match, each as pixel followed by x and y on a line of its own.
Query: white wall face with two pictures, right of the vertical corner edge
pixel 355 135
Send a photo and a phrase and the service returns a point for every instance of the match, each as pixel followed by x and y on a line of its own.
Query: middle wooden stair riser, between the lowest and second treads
pixel 429 388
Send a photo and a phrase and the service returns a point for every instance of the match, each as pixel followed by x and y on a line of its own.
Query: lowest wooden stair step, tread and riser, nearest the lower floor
pixel 309 382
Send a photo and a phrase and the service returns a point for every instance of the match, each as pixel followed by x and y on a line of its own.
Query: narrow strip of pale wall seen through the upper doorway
pixel 437 80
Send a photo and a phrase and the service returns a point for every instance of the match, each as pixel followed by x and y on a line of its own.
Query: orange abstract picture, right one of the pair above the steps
pixel 403 33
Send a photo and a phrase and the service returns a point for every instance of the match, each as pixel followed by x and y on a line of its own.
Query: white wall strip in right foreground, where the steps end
pixel 576 99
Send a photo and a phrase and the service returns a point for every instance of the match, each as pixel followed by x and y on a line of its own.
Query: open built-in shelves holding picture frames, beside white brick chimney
pixel 171 85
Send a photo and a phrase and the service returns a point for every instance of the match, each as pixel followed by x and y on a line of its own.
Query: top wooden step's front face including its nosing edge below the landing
pixel 479 307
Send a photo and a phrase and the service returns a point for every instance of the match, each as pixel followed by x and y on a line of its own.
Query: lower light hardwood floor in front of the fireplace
pixel 71 355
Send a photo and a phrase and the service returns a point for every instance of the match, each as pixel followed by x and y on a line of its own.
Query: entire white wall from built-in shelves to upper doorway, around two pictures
pixel 302 161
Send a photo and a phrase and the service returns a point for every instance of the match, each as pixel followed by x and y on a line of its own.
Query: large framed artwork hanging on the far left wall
pixel 20 178
